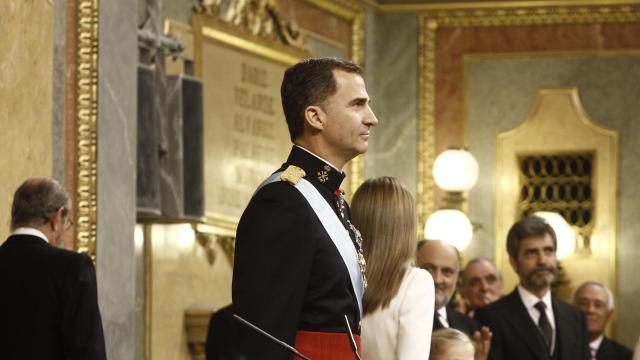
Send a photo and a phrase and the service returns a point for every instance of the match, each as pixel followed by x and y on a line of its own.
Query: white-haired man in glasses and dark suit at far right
pixel 596 300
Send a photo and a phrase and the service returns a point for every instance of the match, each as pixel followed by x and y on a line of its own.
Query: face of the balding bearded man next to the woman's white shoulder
pixel 440 259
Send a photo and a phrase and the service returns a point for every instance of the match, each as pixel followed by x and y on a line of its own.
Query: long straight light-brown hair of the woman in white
pixel 385 213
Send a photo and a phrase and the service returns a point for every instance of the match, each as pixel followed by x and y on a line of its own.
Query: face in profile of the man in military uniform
pixel 348 117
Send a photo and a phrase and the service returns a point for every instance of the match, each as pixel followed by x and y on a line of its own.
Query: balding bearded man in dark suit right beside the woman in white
pixel 442 261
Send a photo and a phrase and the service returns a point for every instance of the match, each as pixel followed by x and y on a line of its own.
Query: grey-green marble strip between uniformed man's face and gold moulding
pixel 392 83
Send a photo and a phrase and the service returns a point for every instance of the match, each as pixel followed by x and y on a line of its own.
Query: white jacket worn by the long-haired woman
pixel 402 330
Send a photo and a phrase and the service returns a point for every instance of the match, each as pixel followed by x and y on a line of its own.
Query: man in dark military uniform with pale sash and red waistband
pixel 299 270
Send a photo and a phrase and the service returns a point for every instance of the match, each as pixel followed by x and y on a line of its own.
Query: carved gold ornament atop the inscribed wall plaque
pixel 261 18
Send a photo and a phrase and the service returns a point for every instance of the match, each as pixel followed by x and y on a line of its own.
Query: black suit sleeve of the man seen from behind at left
pixel 81 323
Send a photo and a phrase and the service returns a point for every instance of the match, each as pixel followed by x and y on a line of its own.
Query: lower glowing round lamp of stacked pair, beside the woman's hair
pixel 451 226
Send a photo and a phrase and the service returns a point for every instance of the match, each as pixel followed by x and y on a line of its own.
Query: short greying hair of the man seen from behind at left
pixel 36 200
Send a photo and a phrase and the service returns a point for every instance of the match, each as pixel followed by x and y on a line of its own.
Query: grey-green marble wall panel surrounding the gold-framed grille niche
pixel 500 92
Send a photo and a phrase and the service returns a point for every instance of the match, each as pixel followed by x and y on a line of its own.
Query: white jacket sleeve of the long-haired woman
pixel 416 318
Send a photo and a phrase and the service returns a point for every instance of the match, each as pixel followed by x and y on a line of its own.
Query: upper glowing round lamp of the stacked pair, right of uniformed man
pixel 455 170
